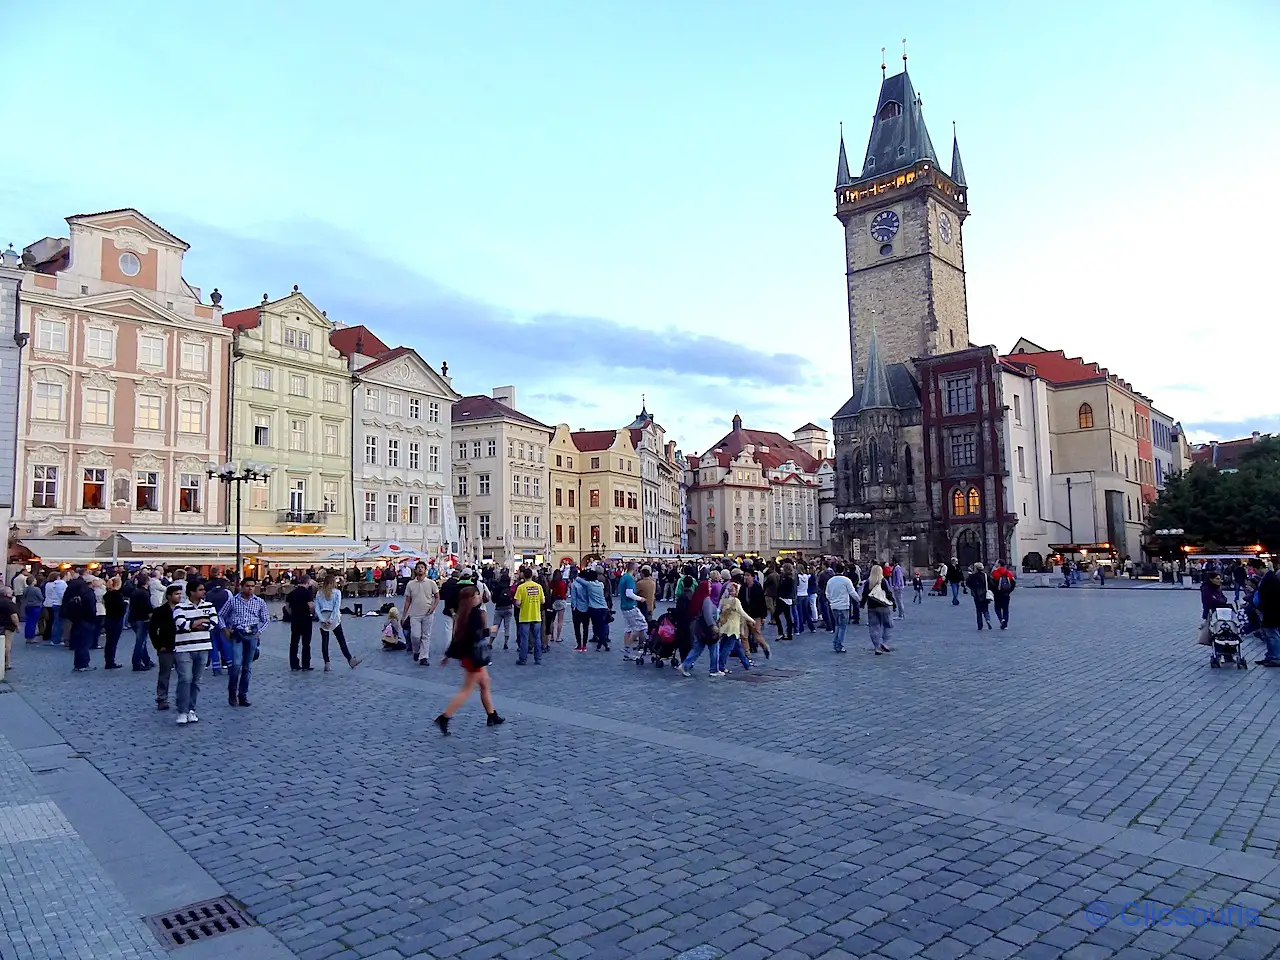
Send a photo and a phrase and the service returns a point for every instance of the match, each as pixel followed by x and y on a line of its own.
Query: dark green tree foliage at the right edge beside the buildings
pixel 1226 509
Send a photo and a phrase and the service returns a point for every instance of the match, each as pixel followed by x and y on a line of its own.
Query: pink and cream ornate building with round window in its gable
pixel 122 401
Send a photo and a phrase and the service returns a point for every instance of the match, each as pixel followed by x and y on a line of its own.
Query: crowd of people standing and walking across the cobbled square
pixel 184 623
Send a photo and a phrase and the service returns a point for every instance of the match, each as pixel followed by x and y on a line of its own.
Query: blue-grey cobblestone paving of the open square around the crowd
pixel 988 796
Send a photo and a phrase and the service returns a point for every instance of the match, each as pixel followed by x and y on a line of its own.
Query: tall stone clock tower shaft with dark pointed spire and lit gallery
pixel 904 249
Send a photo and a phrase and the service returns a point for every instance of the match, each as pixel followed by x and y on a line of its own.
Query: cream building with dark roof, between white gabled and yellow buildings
pixel 501 481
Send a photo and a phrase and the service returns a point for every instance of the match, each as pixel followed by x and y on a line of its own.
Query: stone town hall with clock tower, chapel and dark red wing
pixel 920 452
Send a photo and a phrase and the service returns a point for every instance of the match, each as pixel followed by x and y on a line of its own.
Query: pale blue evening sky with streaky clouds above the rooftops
pixel 606 202
